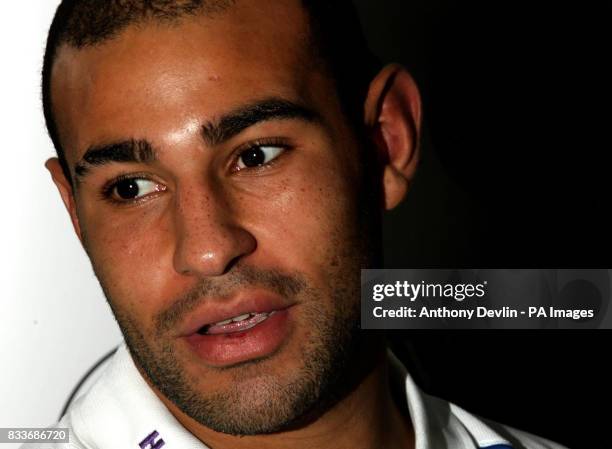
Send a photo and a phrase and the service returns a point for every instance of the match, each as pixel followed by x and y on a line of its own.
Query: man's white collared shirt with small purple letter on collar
pixel 120 411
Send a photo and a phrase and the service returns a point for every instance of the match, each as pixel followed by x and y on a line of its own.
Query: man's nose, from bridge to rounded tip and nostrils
pixel 209 236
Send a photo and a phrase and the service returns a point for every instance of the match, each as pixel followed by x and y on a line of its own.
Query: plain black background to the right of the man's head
pixel 514 175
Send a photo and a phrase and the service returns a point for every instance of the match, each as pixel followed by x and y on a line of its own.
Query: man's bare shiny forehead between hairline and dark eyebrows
pixel 154 78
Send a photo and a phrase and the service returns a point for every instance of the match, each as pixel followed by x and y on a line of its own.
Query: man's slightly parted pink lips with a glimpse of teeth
pixel 226 332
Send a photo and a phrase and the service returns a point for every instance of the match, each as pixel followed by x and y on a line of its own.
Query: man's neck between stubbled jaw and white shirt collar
pixel 366 418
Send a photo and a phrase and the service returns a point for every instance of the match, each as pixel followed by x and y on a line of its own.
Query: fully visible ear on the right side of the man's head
pixel 393 114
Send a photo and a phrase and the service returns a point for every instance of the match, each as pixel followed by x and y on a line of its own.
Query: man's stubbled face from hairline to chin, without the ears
pixel 242 199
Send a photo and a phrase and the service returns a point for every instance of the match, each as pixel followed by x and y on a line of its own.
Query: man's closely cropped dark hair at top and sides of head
pixel 335 31
